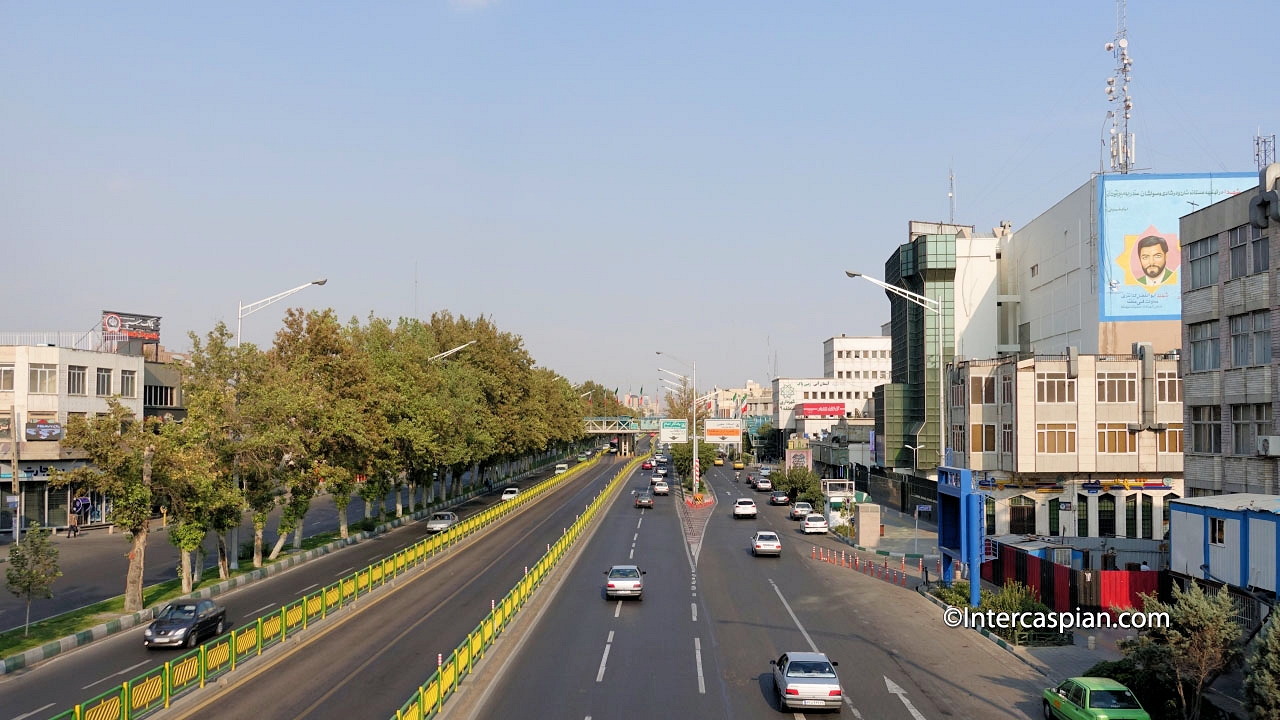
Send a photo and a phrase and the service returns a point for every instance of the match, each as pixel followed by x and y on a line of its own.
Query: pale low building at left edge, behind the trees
pixel 42 389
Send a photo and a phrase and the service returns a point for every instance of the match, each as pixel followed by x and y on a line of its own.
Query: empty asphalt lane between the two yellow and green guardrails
pixel 373 660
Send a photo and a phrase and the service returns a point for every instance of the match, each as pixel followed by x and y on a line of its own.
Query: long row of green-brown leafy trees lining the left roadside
pixel 358 408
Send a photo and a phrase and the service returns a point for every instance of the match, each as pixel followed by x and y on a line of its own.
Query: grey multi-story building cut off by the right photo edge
pixel 1229 306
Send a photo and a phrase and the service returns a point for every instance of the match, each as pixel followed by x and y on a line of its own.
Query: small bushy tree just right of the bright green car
pixel 1203 642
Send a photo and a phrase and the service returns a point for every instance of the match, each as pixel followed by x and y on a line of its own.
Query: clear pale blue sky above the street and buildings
pixel 602 179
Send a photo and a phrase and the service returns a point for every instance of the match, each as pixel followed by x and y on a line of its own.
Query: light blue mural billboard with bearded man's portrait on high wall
pixel 1140 250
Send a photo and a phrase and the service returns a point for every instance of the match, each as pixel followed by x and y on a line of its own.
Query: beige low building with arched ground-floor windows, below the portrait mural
pixel 1072 445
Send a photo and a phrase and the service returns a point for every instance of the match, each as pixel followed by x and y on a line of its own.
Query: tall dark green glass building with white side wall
pixel 953 267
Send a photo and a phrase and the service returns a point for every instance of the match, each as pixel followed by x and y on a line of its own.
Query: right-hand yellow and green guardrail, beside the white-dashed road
pixel 431 698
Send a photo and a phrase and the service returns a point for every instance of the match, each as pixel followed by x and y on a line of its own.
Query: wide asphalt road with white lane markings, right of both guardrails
pixel 701 642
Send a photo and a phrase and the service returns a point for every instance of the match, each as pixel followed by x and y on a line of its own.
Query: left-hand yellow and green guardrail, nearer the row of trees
pixel 154 690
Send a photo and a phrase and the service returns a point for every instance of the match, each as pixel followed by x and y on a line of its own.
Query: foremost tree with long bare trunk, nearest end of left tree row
pixel 129 463
